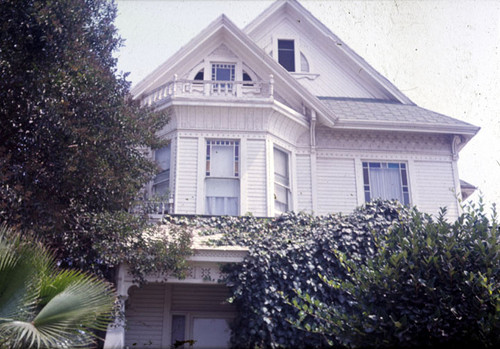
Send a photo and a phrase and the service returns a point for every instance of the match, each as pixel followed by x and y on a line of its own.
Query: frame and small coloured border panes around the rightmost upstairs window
pixel 404 179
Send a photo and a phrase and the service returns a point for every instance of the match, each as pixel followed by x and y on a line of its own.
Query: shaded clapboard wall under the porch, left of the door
pixel 145 314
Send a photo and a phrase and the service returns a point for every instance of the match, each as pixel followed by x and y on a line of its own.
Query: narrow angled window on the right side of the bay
pixel 282 193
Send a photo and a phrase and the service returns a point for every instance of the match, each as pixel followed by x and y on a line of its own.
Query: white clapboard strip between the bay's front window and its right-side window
pixel 256 177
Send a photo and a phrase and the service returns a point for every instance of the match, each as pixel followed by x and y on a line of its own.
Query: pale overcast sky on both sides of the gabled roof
pixel 444 55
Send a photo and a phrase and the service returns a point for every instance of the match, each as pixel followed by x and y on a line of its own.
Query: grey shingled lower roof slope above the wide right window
pixel 381 114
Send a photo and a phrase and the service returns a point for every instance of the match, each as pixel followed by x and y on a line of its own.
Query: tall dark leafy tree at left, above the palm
pixel 71 159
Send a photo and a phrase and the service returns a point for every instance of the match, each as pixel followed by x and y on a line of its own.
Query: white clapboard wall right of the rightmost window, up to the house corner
pixel 435 187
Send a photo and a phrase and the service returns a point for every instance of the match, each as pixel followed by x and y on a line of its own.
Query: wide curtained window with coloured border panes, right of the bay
pixel 386 180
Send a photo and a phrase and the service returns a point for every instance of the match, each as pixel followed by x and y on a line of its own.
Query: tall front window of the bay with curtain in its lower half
pixel 222 184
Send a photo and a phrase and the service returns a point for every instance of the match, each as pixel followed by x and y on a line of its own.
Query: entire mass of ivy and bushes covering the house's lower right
pixel 383 276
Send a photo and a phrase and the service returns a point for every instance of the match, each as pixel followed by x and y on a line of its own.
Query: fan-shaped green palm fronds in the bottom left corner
pixel 42 306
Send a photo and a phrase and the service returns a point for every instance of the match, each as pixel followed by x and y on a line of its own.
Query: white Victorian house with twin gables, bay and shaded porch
pixel 279 116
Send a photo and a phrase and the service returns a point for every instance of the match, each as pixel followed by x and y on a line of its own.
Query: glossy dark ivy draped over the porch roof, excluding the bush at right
pixel 288 253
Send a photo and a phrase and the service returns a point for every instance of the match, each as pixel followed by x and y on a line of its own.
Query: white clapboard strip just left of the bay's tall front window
pixel 187 167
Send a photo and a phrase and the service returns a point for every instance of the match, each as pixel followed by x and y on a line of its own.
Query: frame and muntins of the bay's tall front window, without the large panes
pixel 235 176
